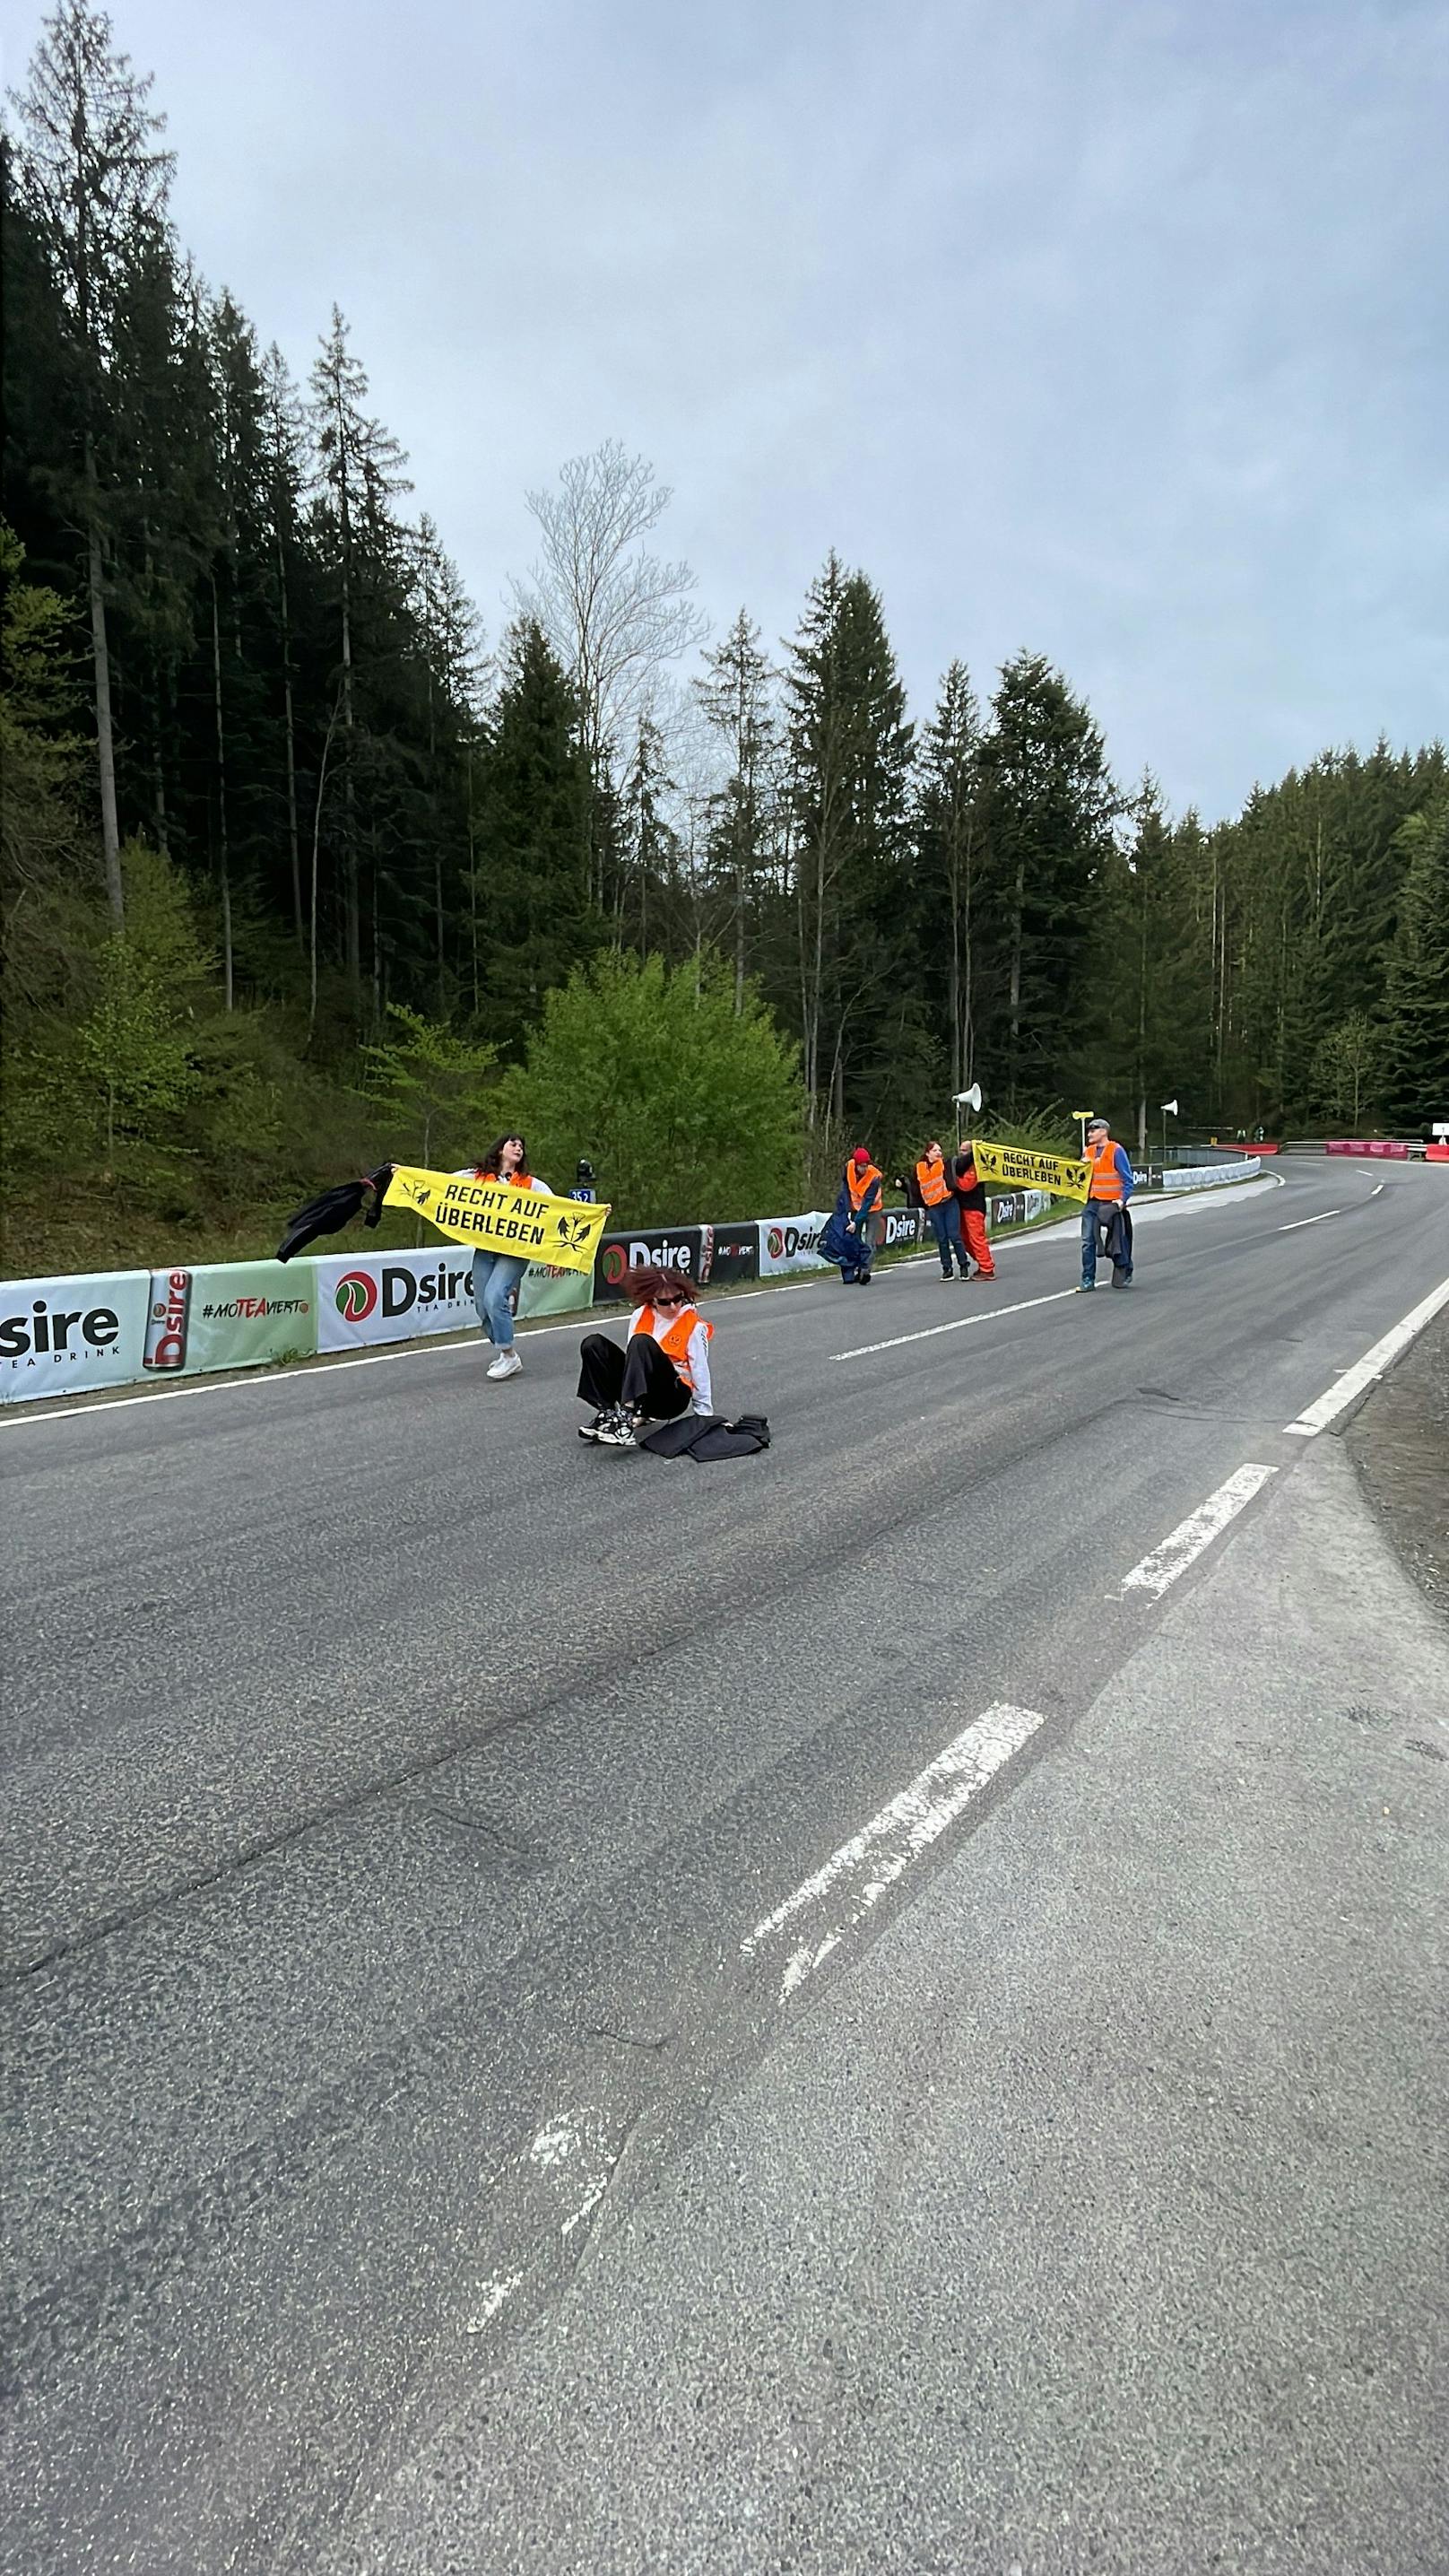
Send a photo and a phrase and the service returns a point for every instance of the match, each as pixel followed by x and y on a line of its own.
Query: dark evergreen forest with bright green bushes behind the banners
pixel 302 867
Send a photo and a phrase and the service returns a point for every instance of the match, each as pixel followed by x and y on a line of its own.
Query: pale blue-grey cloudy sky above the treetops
pixel 1113 328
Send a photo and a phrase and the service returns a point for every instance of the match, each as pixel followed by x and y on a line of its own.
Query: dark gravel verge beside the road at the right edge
pixel 1401 1449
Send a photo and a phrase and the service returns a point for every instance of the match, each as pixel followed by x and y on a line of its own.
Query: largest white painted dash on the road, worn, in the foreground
pixel 884 1851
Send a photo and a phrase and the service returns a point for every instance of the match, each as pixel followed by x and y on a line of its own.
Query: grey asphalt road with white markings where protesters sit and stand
pixel 498 2078
